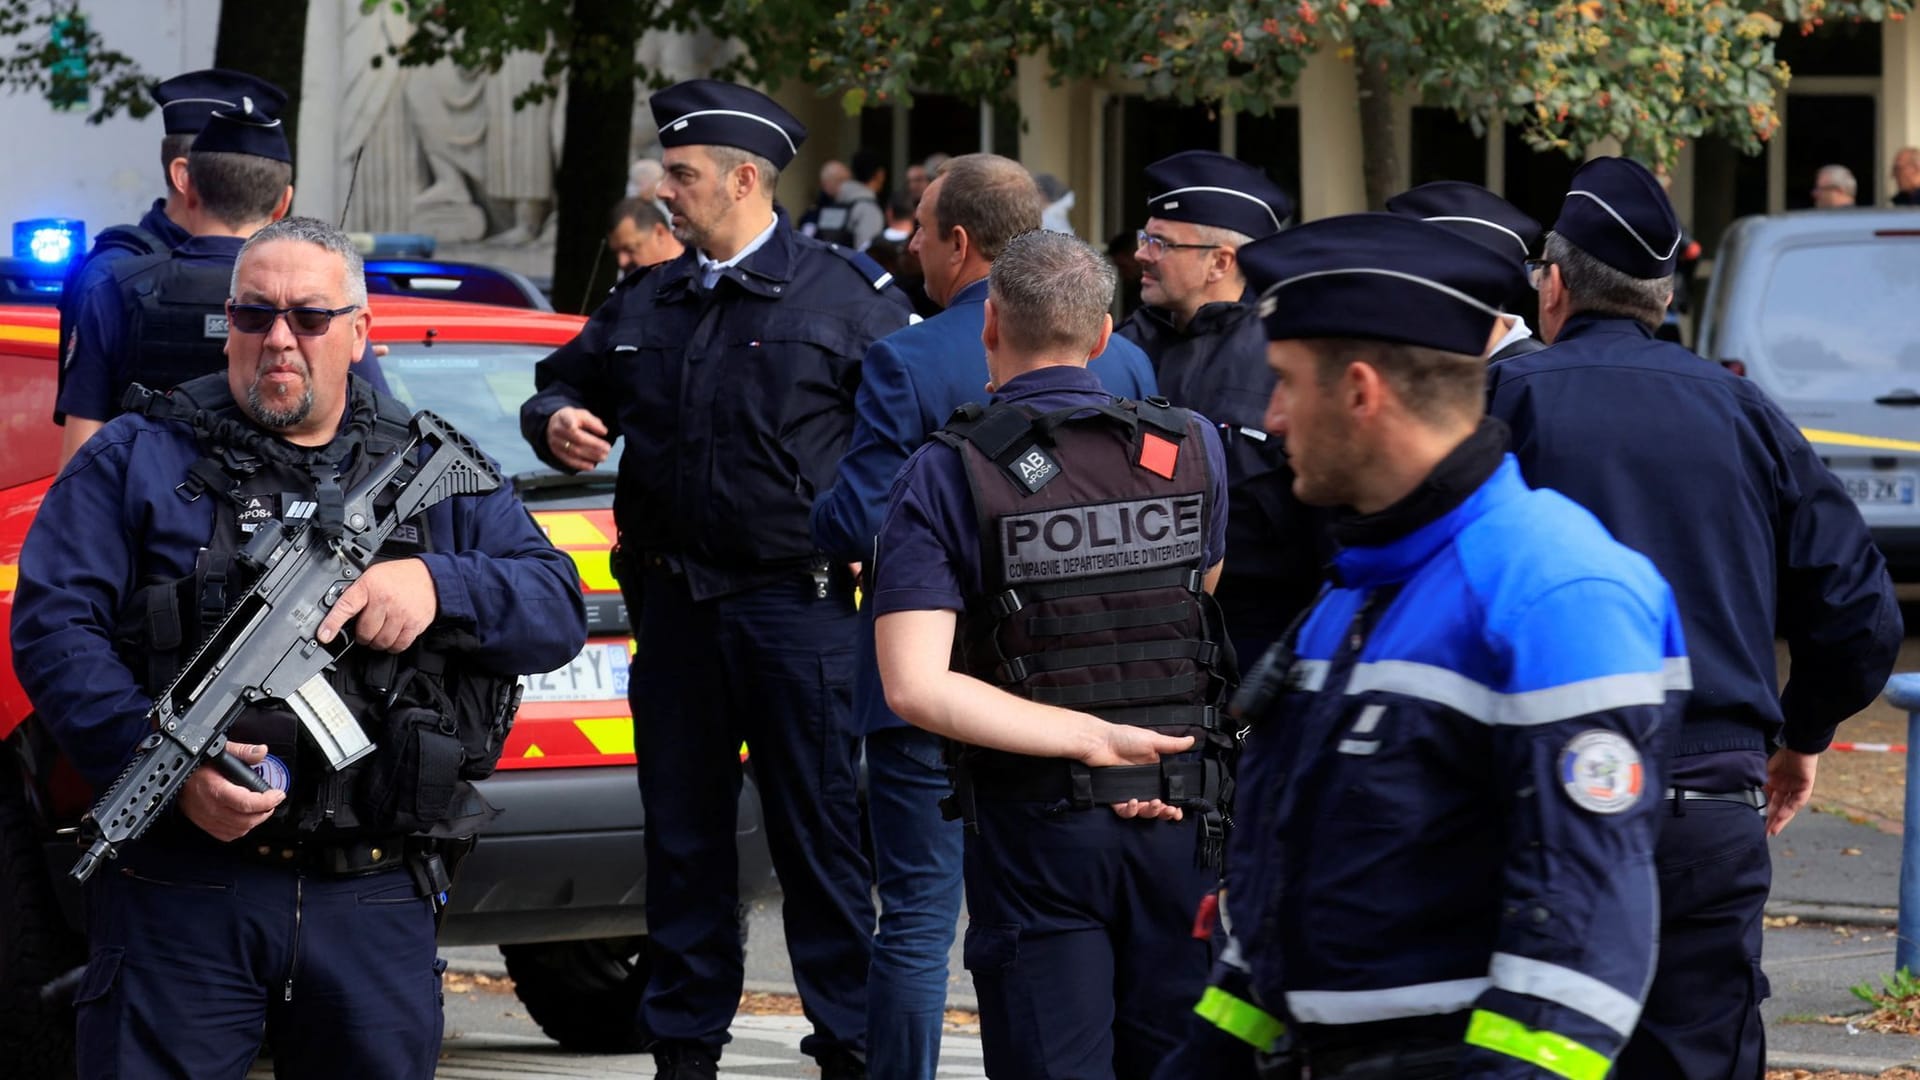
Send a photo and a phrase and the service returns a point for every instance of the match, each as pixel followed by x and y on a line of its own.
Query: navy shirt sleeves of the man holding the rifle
pixel 114 522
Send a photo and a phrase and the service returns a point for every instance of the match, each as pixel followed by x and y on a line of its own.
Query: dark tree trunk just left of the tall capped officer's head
pixel 592 178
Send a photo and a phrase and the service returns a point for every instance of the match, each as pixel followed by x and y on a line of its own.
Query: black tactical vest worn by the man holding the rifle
pixel 437 720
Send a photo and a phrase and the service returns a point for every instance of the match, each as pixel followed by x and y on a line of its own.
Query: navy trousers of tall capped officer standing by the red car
pixel 771 668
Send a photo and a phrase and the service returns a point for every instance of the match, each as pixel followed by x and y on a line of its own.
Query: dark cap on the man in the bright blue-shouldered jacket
pixel 1378 278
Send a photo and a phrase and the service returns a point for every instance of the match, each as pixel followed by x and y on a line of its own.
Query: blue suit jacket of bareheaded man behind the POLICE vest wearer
pixel 911 383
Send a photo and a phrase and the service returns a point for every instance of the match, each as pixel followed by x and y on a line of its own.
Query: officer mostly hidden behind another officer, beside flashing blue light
pixel 185 105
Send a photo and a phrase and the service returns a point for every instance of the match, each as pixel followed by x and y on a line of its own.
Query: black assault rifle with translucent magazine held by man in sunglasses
pixel 266 647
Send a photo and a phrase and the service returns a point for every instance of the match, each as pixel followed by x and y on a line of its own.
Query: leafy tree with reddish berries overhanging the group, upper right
pixel 1568 74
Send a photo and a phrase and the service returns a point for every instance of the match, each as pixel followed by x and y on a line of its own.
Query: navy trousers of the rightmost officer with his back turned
pixel 1704 1012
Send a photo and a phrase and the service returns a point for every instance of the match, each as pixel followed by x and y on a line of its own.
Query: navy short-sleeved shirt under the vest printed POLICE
pixel 930 543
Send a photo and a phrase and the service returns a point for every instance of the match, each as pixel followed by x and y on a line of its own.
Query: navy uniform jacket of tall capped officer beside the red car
pixel 736 403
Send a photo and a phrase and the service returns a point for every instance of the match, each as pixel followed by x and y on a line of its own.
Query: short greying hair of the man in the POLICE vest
pixel 1051 293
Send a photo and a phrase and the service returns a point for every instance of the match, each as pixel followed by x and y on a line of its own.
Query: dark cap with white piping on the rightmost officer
pixel 1618 212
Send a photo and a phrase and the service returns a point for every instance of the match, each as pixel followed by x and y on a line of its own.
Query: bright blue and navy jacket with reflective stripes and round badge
pixel 1452 810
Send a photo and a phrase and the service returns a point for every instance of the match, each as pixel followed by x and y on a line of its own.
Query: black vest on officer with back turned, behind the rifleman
pixel 178 318
